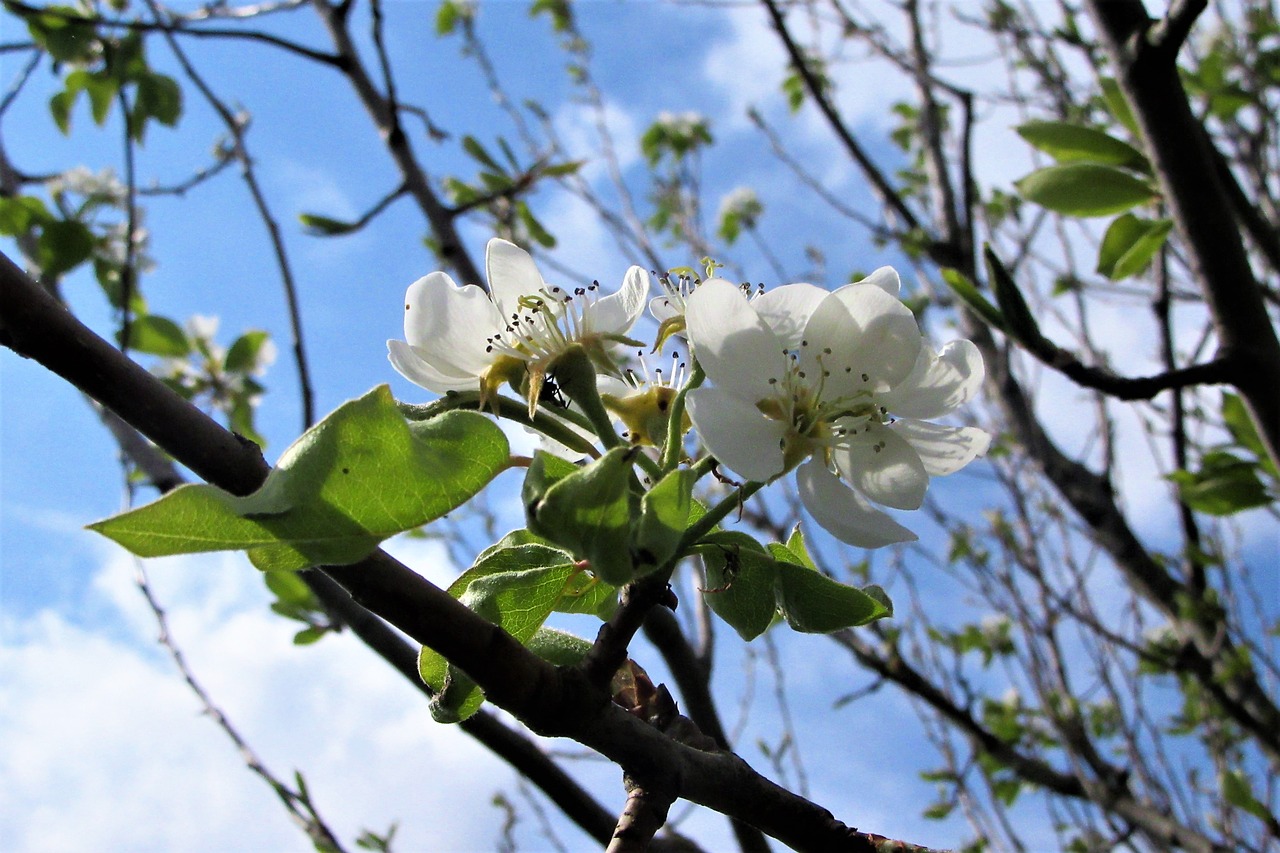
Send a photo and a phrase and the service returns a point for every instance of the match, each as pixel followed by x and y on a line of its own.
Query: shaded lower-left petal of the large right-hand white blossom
pixel 738 435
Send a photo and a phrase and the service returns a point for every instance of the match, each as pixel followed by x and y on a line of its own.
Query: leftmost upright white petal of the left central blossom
pixel 450 326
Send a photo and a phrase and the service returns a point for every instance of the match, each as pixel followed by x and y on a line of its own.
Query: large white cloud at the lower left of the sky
pixel 107 749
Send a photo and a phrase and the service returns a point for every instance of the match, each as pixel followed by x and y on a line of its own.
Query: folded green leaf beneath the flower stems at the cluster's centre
pixel 589 513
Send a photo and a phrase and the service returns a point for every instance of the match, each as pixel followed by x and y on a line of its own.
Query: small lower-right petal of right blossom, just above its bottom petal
pixel 884 467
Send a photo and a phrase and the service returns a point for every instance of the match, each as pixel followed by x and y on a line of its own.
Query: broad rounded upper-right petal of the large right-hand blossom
pixel 862 340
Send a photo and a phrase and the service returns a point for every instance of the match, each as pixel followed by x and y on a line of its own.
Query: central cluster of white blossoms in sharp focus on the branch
pixel 838 386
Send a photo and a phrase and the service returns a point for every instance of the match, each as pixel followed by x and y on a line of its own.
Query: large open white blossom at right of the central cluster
pixel 839 386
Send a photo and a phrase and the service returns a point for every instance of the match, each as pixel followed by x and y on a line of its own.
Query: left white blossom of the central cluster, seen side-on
pixel 459 339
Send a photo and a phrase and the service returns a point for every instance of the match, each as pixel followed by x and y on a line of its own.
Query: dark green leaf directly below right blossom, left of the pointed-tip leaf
pixel 740 582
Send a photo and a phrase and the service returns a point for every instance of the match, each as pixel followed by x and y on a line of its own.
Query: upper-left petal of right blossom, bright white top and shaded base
pixel 737 349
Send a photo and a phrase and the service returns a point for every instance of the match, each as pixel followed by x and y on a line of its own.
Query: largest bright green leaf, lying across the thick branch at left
pixel 356 478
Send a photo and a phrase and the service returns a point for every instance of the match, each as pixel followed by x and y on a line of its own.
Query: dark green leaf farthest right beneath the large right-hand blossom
pixel 815 604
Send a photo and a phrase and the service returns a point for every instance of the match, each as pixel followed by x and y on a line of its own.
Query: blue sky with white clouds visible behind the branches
pixel 102 735
